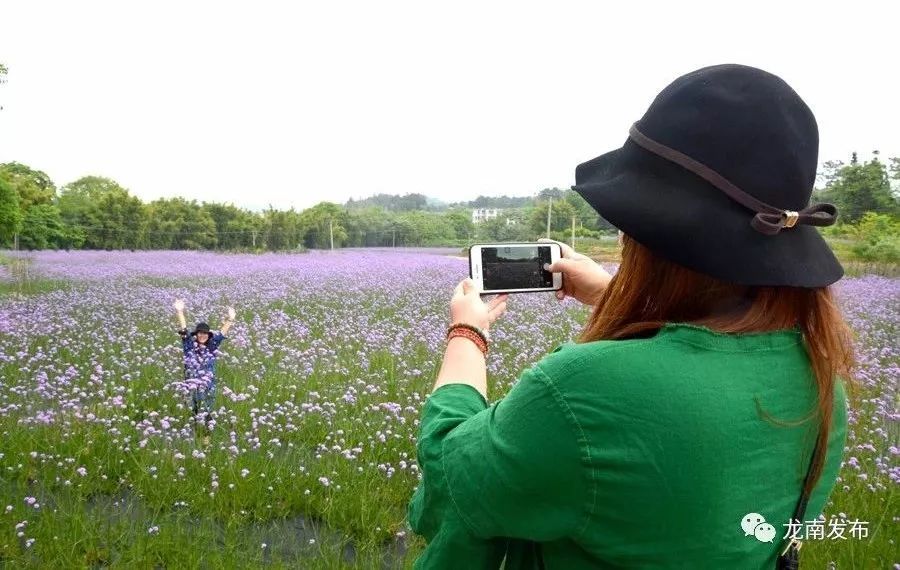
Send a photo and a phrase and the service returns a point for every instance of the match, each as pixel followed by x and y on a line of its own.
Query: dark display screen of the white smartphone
pixel 512 267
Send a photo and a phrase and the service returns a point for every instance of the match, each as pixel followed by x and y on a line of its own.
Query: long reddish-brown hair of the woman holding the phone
pixel 649 291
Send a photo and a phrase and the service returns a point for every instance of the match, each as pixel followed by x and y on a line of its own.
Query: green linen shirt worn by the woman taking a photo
pixel 643 453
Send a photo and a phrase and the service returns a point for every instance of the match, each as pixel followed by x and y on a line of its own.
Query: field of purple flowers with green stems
pixel 310 458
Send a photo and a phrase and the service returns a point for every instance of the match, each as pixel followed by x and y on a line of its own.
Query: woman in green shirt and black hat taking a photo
pixel 679 430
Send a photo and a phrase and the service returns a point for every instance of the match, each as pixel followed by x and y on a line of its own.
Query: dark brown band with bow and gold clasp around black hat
pixel 768 220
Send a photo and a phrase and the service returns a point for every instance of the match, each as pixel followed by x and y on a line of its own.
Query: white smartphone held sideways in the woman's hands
pixel 514 267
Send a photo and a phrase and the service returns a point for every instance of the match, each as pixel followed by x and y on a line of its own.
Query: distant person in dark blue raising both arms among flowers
pixel 200 349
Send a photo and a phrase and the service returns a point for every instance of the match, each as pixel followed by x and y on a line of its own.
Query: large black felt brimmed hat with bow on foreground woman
pixel 717 176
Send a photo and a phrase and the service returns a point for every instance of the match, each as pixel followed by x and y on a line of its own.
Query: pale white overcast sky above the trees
pixel 287 103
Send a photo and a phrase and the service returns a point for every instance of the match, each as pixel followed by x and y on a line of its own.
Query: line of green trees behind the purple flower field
pixel 94 212
